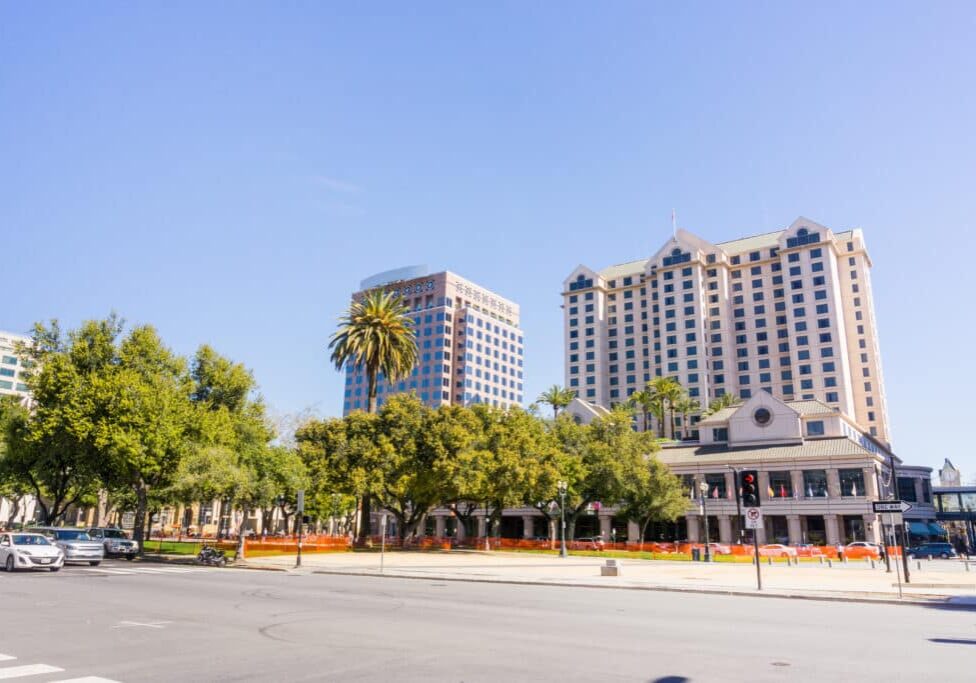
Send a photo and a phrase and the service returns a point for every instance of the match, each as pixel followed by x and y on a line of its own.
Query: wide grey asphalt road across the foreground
pixel 142 622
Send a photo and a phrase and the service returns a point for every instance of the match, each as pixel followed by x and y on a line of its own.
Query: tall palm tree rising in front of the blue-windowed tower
pixel 377 334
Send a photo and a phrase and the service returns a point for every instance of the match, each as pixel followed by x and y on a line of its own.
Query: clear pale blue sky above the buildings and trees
pixel 229 171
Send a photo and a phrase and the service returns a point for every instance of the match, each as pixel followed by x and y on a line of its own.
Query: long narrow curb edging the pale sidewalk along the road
pixel 915 600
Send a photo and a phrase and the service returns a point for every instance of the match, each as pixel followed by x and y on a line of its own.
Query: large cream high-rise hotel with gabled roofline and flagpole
pixel 789 312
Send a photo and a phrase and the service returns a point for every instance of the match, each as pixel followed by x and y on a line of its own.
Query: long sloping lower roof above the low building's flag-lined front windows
pixel 717 454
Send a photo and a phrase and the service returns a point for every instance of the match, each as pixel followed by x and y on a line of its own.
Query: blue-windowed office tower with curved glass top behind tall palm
pixel 469 344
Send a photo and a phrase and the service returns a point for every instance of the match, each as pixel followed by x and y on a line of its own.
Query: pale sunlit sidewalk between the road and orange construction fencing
pixel 812 581
